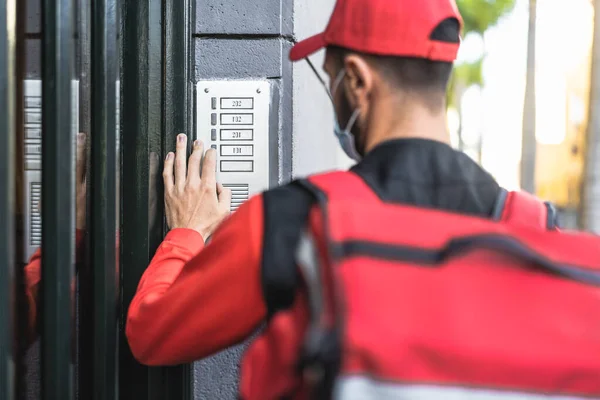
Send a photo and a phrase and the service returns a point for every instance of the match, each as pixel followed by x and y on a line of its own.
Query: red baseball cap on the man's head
pixel 386 27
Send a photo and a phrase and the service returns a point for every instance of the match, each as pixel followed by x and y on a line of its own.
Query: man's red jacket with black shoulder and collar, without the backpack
pixel 195 300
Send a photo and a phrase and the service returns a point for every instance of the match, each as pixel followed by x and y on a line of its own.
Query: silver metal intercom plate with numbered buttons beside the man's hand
pixel 233 118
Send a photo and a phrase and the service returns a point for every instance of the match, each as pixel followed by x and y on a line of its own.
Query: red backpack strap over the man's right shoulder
pixel 522 208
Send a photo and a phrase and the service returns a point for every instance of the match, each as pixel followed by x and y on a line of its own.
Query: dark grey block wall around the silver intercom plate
pixel 246 40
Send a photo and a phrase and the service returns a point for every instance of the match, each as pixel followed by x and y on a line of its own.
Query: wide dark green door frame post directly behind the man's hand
pixel 155 99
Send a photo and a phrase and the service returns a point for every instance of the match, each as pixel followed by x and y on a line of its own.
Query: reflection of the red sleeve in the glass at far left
pixel 33 279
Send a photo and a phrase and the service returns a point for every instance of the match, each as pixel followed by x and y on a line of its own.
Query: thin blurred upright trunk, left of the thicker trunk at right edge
pixel 529 143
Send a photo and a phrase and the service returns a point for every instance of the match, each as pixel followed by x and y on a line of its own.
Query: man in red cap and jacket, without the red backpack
pixel 388 64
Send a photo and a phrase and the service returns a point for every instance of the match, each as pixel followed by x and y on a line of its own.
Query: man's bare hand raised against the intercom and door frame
pixel 192 200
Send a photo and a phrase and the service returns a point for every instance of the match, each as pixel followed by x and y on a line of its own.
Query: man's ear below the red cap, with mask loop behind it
pixel 359 81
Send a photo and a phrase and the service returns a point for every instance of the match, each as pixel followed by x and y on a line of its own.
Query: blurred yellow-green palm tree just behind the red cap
pixel 478 16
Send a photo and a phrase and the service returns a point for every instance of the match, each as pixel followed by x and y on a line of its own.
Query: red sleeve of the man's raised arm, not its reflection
pixel 194 300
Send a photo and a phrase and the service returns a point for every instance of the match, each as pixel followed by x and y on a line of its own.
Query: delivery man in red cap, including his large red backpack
pixel 378 282
